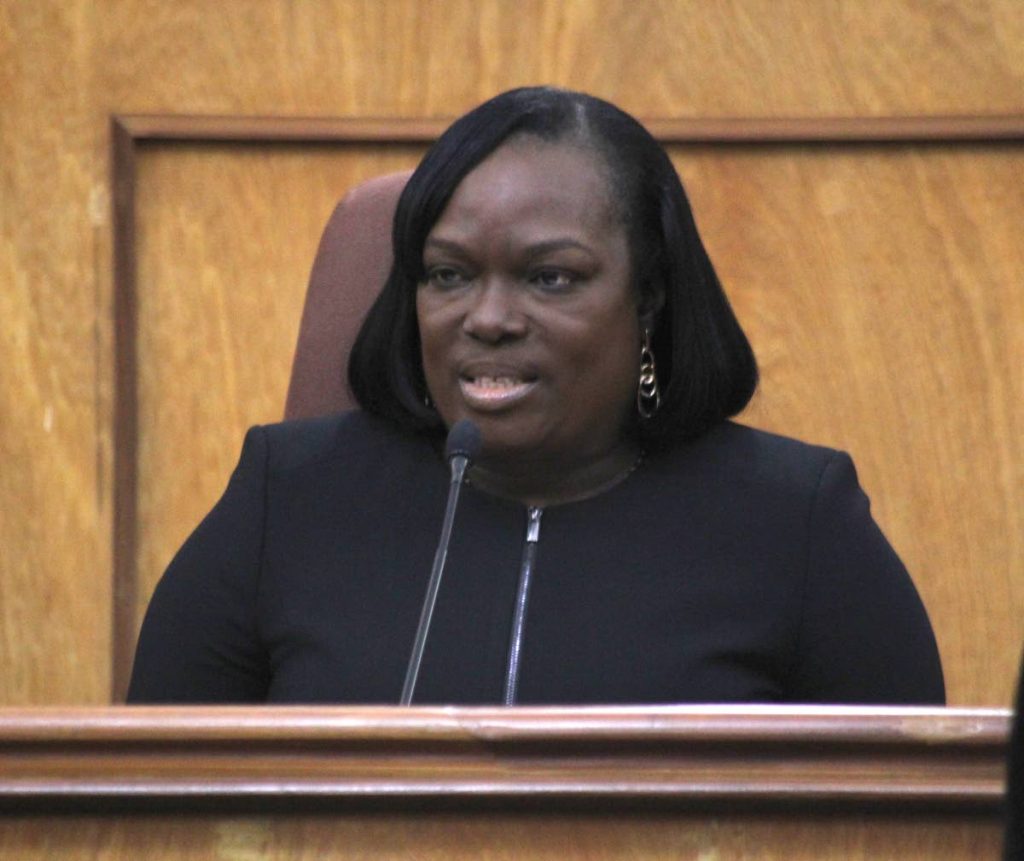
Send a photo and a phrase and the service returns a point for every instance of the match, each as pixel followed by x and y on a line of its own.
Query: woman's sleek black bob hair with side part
pixel 706 368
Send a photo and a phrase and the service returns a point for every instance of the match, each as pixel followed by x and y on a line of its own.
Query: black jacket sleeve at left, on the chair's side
pixel 200 640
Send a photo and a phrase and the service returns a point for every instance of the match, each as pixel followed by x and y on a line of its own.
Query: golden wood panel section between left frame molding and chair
pixel 226 238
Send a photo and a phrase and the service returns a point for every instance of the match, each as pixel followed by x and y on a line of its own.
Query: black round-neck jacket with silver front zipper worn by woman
pixel 743 568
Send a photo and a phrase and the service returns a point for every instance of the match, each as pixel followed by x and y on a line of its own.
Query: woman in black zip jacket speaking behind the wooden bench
pixel 549 284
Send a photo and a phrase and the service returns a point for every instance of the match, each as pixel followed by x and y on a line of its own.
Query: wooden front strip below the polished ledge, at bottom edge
pixel 496 837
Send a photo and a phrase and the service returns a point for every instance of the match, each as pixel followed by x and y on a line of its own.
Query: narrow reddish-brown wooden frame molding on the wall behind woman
pixel 130 133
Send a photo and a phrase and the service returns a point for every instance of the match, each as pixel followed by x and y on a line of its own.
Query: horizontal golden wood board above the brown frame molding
pixel 662 58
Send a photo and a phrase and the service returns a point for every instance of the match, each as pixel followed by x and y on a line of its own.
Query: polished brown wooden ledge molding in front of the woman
pixel 699 756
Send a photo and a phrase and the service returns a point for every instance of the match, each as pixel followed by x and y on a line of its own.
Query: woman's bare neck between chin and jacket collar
pixel 546 482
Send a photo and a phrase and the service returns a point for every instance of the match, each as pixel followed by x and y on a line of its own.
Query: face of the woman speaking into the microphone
pixel 528 316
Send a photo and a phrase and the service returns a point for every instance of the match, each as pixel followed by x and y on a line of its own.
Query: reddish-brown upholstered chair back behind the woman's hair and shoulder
pixel 352 265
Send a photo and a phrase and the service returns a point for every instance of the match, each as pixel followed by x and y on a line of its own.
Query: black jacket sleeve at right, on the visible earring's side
pixel 865 636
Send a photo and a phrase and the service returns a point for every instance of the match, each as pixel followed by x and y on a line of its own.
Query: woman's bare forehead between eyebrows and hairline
pixel 536 181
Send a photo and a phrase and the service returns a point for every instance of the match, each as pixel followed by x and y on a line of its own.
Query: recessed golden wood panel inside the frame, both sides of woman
pixel 879 284
